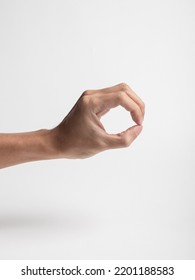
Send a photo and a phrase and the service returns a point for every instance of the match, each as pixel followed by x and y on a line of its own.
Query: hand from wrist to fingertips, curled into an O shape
pixel 81 134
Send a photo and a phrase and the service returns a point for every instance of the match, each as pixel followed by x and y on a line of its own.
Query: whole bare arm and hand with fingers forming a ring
pixel 81 134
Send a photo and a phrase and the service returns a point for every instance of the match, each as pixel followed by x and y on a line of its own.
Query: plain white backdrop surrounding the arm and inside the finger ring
pixel 134 203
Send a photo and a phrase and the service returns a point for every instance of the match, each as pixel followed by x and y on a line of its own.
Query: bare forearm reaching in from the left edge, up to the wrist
pixel 19 148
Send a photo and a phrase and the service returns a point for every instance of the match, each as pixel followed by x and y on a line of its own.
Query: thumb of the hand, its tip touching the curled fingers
pixel 125 138
